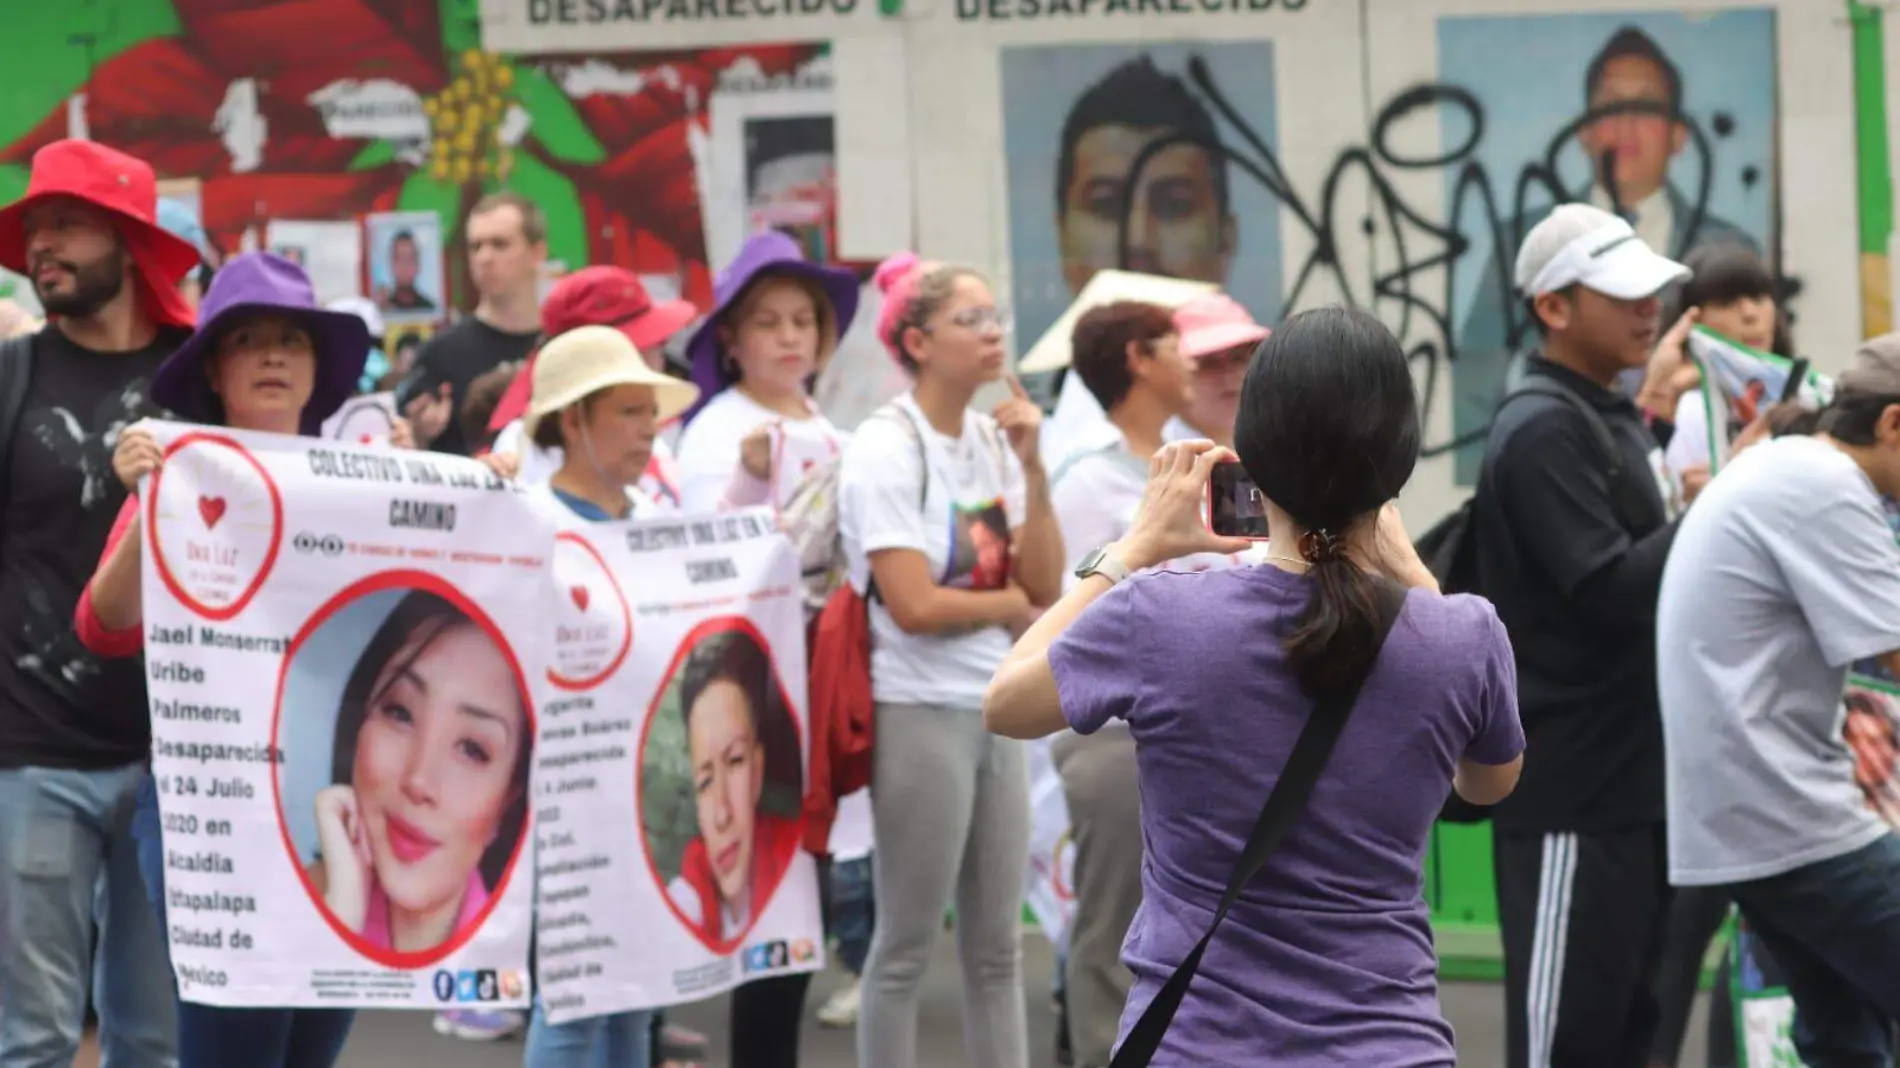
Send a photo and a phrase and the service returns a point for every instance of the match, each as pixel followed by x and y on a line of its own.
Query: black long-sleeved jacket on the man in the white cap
pixel 1574 569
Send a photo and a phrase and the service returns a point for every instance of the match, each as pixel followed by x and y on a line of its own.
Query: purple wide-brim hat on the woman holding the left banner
pixel 265 284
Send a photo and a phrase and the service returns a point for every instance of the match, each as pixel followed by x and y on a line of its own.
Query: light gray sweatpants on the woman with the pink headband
pixel 951 809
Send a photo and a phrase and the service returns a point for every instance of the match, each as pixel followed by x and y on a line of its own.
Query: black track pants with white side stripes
pixel 1584 917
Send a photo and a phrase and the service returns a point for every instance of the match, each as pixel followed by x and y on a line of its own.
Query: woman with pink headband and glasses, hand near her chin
pixel 947 514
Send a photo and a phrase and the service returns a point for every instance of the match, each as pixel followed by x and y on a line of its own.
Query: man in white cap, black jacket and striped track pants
pixel 1572 533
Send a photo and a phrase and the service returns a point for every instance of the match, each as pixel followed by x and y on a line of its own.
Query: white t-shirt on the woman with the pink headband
pixel 974 501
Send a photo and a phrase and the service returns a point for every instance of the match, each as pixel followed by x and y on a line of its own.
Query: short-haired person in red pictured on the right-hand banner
pixel 740 744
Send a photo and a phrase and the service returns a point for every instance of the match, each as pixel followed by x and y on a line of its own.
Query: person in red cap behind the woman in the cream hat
pixel 592 297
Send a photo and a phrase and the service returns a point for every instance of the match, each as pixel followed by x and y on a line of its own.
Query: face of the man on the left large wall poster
pixel 1173 210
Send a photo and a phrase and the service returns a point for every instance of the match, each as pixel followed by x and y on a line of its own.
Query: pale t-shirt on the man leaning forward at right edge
pixel 1783 575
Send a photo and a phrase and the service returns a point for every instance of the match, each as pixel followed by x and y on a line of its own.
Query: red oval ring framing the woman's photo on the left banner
pixel 349 596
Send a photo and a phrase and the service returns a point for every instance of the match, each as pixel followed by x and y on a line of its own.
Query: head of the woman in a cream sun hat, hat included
pixel 601 404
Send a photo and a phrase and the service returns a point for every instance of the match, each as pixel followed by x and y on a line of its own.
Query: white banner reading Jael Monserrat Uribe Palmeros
pixel 345 668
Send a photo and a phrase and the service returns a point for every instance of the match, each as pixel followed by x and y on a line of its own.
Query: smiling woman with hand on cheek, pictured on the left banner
pixel 430 780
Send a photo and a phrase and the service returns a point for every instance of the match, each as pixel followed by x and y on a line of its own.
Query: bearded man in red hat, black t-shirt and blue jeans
pixel 75 731
